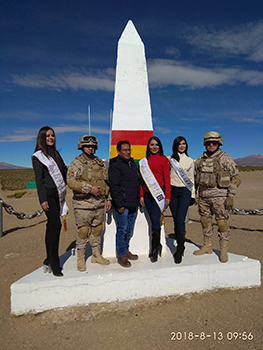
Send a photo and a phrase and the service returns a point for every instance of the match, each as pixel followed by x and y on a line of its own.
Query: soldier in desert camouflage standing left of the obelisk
pixel 87 177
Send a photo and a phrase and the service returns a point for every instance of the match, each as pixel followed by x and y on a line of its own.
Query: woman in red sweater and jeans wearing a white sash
pixel 160 168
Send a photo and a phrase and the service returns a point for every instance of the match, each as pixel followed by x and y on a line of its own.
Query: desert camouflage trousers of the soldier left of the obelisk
pixel 90 224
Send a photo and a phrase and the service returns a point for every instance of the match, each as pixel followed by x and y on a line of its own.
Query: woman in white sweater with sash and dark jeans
pixel 182 191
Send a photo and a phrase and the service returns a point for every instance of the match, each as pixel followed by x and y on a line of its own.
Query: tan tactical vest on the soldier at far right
pixel 210 174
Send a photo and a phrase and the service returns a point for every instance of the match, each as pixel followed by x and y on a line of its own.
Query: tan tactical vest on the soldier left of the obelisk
pixel 95 174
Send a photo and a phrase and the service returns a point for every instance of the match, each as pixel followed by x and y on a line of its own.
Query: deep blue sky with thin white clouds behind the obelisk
pixel 204 63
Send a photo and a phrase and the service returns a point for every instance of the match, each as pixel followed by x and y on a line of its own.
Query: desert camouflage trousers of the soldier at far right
pixel 207 207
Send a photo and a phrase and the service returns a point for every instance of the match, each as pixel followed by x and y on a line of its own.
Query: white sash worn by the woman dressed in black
pixel 57 177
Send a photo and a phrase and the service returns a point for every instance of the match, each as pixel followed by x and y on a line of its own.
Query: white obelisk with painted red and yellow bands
pixel 132 120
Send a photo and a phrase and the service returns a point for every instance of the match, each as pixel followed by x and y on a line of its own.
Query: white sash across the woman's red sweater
pixel 152 184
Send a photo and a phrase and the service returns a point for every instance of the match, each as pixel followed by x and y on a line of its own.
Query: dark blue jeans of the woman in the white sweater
pixel 180 200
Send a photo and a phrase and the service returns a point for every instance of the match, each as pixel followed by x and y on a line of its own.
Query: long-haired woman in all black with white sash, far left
pixel 50 174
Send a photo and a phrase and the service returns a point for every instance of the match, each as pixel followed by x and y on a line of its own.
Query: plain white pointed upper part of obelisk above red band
pixel 132 109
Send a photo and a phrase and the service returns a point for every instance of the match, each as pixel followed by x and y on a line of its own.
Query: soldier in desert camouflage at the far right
pixel 217 180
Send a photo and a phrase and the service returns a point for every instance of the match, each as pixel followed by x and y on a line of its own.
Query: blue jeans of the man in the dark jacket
pixel 125 226
